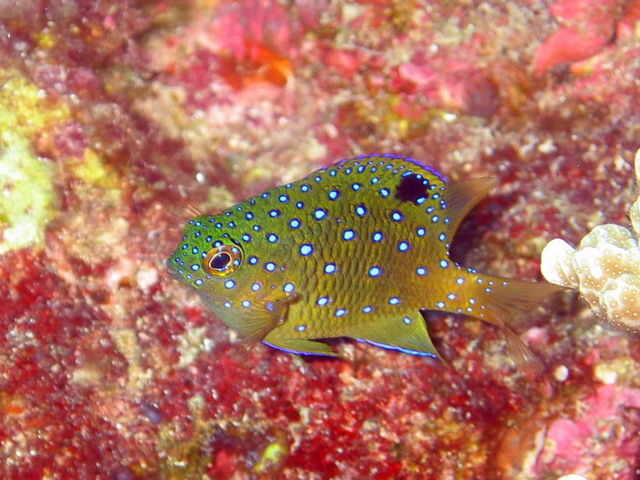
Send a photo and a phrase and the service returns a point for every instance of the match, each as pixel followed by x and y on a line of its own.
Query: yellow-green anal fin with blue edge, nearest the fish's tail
pixel 405 332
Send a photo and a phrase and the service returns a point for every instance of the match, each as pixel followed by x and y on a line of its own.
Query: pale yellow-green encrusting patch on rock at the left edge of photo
pixel 27 194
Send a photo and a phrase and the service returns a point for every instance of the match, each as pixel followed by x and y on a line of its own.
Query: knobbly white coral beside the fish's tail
pixel 605 268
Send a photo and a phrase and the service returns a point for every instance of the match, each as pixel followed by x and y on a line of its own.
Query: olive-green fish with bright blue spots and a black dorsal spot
pixel 357 249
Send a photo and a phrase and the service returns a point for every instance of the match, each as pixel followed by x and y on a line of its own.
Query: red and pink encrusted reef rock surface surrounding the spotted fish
pixel 115 116
